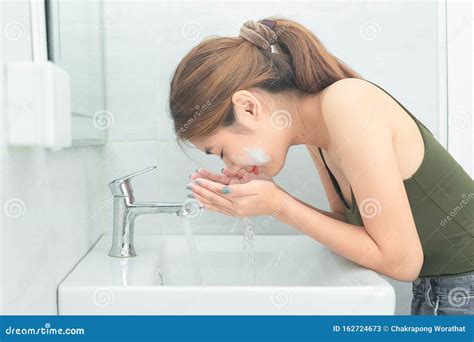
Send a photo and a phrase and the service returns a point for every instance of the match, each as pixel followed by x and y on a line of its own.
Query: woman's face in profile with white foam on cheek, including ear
pixel 263 148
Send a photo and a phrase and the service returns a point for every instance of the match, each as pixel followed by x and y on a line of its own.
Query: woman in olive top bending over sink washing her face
pixel 391 186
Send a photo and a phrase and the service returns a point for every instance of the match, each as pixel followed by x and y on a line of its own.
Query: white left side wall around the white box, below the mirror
pixel 50 200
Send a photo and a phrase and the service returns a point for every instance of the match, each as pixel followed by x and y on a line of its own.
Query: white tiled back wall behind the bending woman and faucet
pixel 391 43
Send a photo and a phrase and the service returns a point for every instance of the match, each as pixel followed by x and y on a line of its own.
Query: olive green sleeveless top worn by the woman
pixel 441 196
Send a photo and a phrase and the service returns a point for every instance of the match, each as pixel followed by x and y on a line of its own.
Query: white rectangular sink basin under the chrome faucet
pixel 283 275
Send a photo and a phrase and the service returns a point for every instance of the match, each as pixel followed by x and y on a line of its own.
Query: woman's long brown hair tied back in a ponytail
pixel 207 77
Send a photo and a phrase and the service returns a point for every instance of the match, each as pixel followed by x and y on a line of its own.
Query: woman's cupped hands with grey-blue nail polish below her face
pixel 252 198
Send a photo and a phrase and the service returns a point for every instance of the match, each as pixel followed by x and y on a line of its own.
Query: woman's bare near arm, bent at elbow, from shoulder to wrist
pixel 356 114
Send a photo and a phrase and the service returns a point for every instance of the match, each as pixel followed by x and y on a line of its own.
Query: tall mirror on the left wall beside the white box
pixel 75 43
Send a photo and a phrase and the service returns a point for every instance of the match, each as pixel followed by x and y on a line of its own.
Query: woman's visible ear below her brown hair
pixel 247 107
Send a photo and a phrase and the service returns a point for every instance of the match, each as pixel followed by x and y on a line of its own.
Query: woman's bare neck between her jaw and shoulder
pixel 308 126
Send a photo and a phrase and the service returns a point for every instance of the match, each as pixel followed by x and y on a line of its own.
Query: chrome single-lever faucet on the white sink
pixel 126 211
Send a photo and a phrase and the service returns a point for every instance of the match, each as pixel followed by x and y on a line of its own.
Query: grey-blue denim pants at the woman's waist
pixel 443 295
